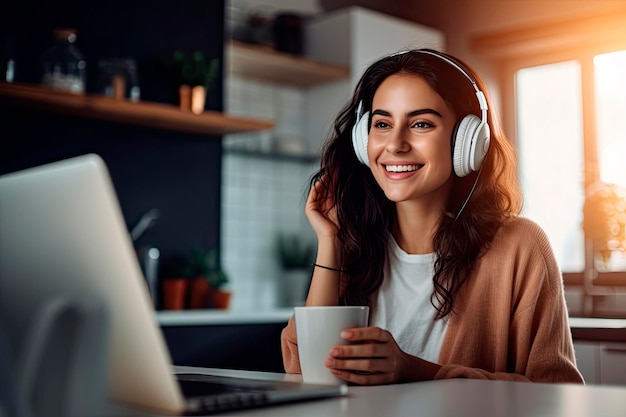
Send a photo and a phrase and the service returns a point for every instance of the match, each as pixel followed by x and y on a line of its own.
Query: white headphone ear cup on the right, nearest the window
pixel 470 145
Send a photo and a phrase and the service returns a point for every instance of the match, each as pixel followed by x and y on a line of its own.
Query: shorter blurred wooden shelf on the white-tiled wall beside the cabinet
pixel 265 64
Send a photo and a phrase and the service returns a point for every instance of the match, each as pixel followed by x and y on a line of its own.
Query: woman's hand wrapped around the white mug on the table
pixel 375 358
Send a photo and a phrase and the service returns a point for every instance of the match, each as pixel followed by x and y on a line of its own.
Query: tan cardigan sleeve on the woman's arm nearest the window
pixel 514 329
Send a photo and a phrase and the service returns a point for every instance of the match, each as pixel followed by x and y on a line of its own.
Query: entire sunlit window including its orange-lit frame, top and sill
pixel 563 93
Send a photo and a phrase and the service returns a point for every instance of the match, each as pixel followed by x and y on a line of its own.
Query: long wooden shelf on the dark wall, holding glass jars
pixel 146 114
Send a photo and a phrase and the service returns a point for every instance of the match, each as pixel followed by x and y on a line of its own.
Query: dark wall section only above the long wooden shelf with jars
pixel 148 31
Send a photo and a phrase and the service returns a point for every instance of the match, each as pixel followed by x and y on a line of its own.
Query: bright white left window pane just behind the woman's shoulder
pixel 550 142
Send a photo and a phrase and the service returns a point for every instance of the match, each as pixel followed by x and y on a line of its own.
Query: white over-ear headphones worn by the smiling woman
pixel 471 137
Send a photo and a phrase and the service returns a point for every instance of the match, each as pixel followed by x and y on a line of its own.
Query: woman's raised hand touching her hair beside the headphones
pixel 320 210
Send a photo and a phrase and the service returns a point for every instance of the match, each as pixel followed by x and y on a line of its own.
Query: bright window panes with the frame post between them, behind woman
pixel 561 160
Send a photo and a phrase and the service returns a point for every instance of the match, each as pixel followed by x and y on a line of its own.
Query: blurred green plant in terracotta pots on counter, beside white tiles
pixel 207 280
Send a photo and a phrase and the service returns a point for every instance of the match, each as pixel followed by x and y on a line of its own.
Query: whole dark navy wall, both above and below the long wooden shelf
pixel 179 174
